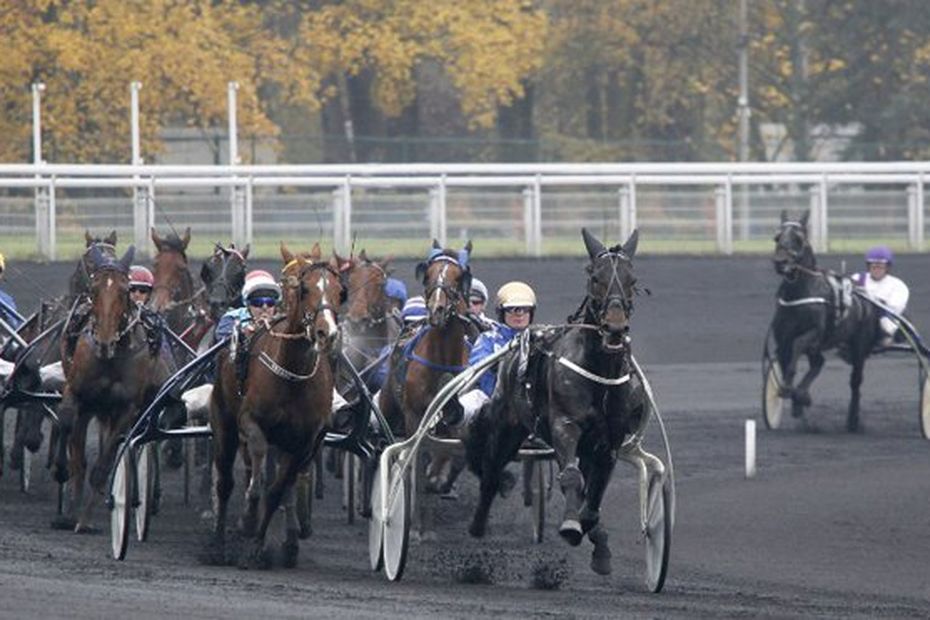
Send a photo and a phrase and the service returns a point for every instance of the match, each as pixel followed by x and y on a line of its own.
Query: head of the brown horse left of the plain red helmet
pixel 109 292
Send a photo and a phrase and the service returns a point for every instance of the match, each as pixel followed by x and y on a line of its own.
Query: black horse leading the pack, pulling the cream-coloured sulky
pixel 572 386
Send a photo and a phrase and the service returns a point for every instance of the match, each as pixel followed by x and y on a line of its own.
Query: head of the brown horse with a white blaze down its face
pixel 313 291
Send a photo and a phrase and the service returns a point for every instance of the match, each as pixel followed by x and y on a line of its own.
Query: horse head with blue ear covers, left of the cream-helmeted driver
pixel 446 279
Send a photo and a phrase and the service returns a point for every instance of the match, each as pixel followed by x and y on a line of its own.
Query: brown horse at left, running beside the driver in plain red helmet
pixel 113 371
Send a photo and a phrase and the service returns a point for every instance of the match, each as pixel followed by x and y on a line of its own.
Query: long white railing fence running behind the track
pixel 516 209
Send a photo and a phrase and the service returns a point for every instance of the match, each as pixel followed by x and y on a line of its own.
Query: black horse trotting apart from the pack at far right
pixel 814 315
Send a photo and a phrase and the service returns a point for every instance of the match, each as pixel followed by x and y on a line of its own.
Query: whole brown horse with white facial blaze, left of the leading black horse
pixel 285 402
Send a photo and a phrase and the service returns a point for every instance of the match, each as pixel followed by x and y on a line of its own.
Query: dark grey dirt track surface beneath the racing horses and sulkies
pixel 834 524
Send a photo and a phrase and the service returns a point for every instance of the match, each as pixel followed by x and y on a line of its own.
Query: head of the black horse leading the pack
pixel 610 290
